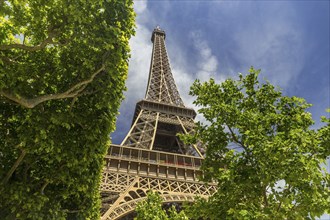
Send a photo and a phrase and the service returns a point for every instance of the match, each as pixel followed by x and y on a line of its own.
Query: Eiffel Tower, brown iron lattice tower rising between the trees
pixel 151 156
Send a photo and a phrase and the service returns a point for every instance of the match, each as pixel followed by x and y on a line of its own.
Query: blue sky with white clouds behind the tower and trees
pixel 287 40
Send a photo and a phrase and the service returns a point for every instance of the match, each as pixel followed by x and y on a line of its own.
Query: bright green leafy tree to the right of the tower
pixel 261 151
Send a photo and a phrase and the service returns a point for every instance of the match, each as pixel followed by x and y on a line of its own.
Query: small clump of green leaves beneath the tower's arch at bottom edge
pixel 151 209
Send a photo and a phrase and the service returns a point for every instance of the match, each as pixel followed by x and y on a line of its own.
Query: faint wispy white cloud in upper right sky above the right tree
pixel 274 44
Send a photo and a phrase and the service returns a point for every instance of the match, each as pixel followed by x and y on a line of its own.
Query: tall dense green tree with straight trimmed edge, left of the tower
pixel 63 70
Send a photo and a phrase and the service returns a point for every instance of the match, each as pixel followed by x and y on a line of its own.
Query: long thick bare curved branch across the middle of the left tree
pixel 70 93
